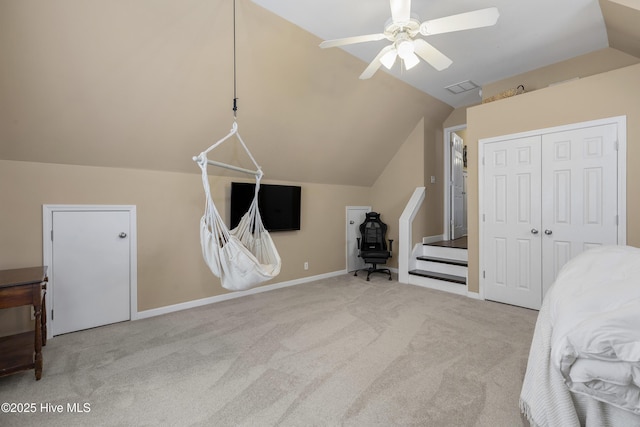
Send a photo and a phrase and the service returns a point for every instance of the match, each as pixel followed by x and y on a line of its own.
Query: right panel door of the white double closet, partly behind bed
pixel 579 178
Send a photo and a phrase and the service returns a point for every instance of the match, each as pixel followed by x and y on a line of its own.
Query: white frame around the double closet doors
pixel 620 121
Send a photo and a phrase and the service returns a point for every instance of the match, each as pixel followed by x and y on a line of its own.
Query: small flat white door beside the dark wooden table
pixel 90 269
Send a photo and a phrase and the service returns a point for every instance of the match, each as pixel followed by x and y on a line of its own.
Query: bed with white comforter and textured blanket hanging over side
pixel 584 362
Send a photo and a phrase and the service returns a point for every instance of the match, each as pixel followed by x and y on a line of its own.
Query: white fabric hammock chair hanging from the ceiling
pixel 246 256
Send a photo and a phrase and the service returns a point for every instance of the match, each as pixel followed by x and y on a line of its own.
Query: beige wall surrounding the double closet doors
pixel 612 93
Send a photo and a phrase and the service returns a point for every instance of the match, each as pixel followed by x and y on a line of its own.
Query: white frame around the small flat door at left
pixel 47 250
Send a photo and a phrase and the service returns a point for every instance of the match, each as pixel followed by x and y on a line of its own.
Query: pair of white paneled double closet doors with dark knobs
pixel 548 198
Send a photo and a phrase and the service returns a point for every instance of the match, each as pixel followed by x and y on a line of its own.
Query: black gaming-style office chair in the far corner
pixel 372 246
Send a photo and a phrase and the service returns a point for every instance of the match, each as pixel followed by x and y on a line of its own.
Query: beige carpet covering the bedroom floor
pixel 336 352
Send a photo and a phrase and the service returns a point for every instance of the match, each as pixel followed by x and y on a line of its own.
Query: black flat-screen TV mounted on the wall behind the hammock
pixel 279 205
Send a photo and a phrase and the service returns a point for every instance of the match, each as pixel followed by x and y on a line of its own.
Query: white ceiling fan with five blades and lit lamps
pixel 402 31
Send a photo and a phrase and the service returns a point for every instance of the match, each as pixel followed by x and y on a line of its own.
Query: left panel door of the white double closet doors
pixel 512 221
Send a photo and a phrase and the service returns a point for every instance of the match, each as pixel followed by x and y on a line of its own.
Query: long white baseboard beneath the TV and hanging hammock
pixel 231 295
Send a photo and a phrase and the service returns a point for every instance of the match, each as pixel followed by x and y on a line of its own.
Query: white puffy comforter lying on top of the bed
pixel 595 315
